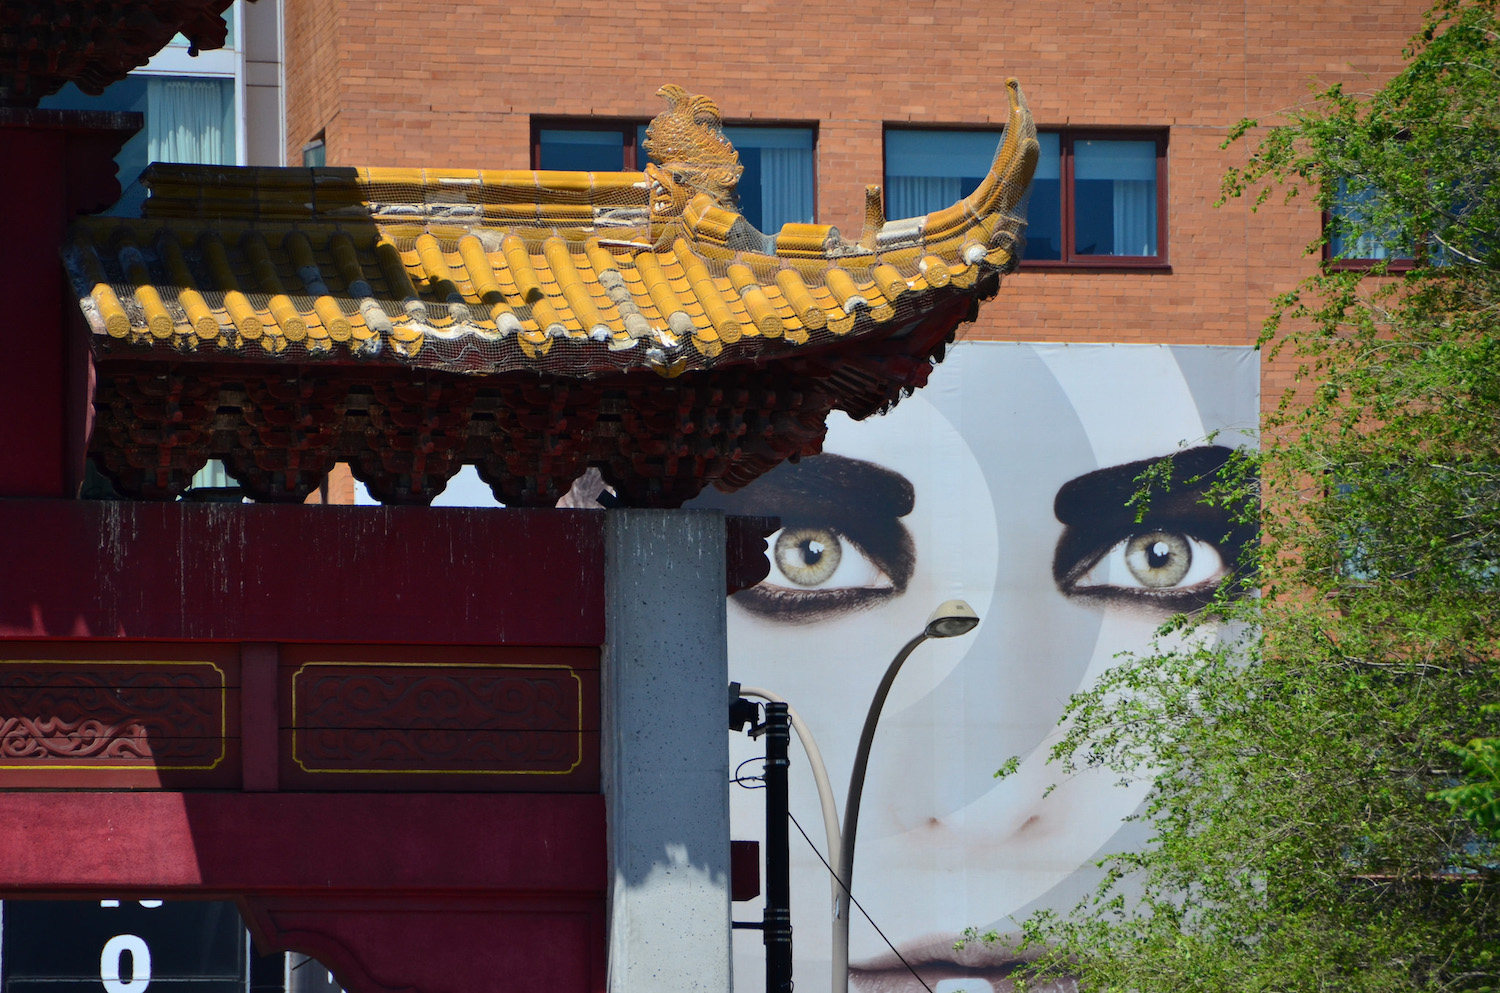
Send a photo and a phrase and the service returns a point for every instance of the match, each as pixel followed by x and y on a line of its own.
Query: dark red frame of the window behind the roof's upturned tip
pixel 1067 134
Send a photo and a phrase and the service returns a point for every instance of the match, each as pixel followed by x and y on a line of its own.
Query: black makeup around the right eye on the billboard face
pixel 1099 515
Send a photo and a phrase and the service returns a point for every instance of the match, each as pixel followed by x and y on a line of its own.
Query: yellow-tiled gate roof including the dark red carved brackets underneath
pixel 415 322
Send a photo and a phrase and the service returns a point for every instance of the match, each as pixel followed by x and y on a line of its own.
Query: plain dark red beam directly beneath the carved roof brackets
pixel 295 574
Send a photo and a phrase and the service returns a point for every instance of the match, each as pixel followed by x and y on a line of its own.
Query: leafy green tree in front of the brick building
pixel 1315 824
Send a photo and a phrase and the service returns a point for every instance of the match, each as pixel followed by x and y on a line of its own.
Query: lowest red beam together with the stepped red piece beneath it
pixel 410 893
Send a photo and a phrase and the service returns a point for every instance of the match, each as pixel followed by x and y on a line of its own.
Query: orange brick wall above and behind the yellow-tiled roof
pixel 455 85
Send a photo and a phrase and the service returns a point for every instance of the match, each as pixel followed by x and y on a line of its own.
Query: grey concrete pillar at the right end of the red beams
pixel 667 751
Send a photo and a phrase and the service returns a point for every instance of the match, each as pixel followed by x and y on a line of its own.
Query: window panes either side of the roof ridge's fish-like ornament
pixel 779 182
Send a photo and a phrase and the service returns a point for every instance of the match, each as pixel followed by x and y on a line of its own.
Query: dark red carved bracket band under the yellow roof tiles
pixel 407 433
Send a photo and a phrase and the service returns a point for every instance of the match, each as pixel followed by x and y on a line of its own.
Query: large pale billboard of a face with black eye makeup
pixel 1004 484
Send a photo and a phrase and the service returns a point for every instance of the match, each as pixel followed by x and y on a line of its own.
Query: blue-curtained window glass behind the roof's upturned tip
pixel 1099 199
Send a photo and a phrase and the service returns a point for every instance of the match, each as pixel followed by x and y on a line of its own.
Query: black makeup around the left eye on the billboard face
pixel 860 500
